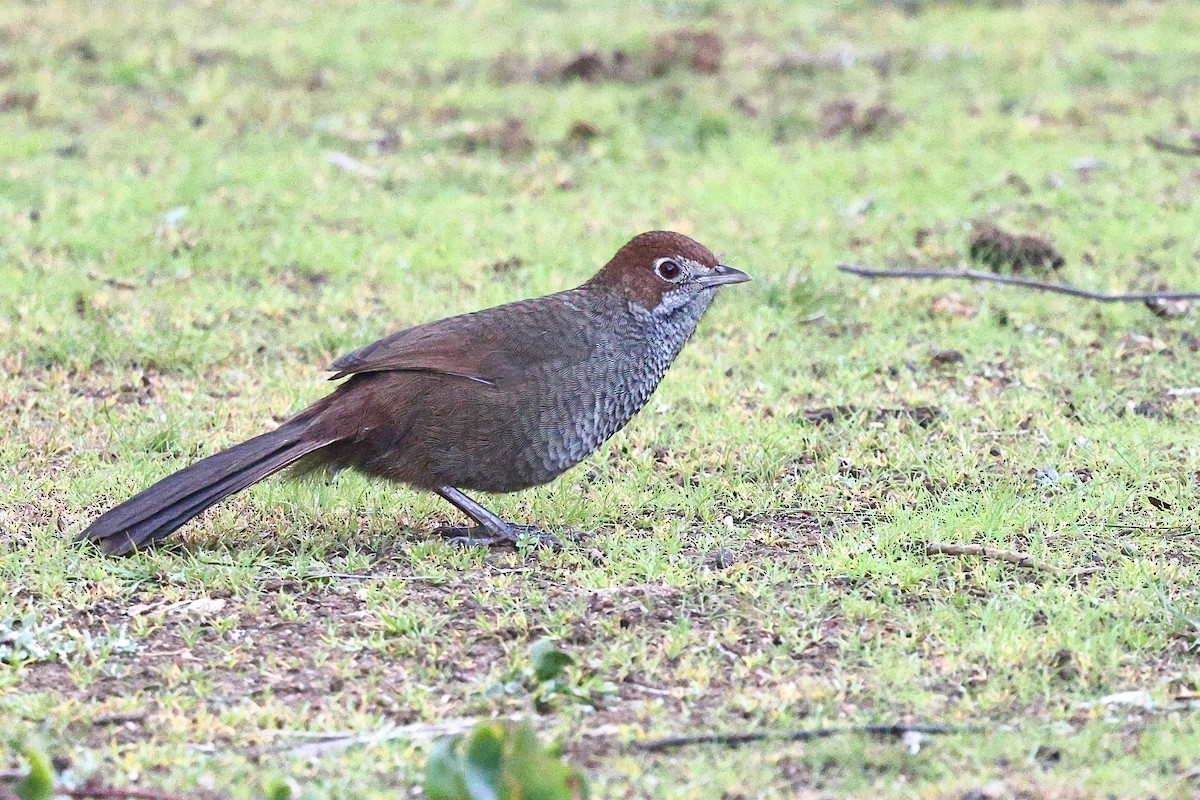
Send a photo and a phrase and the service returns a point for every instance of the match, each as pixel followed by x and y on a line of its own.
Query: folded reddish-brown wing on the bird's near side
pixel 484 347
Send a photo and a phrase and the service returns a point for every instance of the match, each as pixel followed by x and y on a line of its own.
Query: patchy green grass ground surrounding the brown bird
pixel 179 261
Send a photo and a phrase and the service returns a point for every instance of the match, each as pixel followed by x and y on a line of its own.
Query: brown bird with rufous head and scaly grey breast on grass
pixel 494 401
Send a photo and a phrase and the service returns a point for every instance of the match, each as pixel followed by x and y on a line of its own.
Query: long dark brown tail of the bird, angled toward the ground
pixel 152 515
